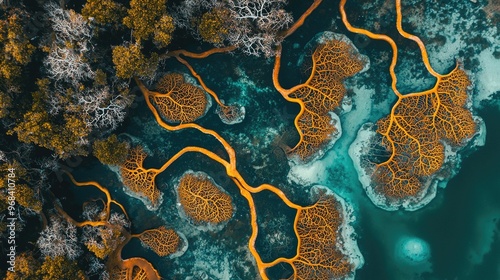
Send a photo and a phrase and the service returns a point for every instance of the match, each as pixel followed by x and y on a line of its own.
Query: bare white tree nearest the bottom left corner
pixel 59 239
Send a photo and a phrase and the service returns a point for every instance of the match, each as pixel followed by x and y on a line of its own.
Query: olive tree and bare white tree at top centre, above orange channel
pixel 253 26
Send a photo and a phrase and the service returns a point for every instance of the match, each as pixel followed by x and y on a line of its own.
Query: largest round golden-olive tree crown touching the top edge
pixel 143 16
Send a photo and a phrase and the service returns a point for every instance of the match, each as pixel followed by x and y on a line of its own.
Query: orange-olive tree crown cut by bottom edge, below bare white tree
pixel 60 268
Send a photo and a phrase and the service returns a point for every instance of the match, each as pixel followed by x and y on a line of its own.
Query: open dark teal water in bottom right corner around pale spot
pixel 461 225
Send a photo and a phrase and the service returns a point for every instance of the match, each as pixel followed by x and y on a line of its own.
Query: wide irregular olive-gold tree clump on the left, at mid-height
pixel 62 134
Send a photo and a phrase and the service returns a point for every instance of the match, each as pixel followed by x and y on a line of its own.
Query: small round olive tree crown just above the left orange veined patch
pixel 111 150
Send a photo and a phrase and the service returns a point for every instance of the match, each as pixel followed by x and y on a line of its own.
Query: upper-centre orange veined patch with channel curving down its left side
pixel 332 62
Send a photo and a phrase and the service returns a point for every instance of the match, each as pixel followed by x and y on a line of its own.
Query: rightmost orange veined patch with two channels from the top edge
pixel 418 124
